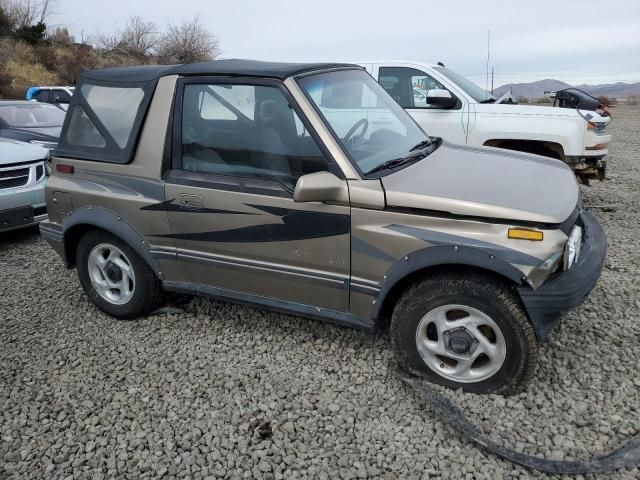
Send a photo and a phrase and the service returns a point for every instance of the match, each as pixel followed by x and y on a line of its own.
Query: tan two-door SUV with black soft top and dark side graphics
pixel 306 189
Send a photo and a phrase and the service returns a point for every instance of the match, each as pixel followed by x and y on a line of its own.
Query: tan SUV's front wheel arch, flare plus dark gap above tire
pixel 435 260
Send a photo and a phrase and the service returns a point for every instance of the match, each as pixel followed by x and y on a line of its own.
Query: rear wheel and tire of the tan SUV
pixel 140 292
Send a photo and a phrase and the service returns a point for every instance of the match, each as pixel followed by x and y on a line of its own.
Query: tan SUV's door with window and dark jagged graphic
pixel 238 149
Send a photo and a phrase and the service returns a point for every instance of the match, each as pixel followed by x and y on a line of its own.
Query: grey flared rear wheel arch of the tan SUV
pixel 97 218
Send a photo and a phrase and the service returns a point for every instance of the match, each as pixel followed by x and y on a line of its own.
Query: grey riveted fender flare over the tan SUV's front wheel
pixel 439 256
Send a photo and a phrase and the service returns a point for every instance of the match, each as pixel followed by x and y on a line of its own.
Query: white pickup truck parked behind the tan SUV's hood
pixel 449 105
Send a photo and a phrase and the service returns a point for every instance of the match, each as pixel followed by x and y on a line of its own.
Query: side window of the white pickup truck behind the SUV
pixel 408 86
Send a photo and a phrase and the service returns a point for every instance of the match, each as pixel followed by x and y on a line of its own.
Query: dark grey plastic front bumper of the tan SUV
pixel 570 288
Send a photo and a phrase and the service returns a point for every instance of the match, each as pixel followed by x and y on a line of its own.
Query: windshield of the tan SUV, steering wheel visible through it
pixel 369 124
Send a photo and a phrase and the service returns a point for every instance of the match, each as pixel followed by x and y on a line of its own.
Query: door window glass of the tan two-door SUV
pixel 247 131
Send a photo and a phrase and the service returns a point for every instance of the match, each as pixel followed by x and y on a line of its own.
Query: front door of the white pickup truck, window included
pixel 409 87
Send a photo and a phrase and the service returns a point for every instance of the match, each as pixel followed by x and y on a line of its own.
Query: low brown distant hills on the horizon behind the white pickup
pixel 537 89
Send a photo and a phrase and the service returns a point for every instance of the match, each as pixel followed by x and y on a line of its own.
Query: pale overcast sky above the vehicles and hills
pixel 585 41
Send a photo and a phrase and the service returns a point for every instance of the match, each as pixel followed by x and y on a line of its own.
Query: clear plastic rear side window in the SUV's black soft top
pixel 104 121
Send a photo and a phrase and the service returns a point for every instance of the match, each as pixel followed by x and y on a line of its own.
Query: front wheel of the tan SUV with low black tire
pixel 464 331
